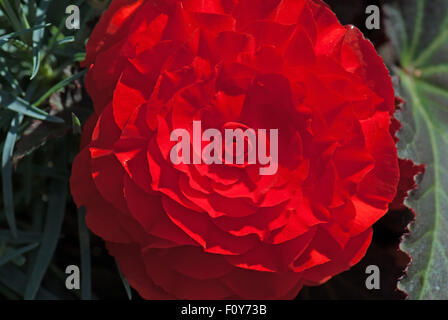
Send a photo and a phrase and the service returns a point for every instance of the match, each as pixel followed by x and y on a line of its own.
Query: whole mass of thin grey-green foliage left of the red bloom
pixel 39 67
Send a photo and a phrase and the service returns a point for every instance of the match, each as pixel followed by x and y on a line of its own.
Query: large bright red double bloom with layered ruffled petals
pixel 198 231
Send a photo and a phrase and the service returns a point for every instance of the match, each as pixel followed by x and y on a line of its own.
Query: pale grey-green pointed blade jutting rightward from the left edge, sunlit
pixel 21 106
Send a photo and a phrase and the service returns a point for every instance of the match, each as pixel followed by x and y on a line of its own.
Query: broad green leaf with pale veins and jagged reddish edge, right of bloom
pixel 419 32
